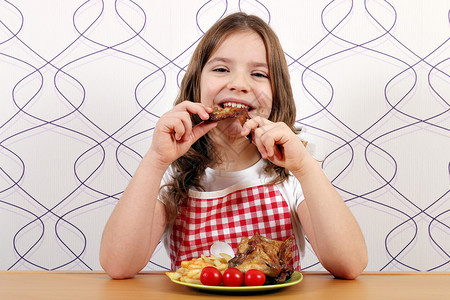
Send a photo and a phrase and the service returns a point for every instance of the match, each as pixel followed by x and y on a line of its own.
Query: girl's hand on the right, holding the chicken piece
pixel 276 142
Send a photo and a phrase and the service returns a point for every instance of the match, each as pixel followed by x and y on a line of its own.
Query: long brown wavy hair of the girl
pixel 189 168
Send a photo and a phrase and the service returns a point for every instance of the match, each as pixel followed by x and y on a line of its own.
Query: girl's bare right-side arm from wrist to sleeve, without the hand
pixel 332 230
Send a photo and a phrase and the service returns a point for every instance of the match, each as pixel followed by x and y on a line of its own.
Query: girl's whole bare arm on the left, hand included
pixel 138 220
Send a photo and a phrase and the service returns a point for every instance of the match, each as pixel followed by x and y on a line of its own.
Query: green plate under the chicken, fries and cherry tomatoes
pixel 296 277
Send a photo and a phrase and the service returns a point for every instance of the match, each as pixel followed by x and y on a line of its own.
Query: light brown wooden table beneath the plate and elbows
pixel 155 285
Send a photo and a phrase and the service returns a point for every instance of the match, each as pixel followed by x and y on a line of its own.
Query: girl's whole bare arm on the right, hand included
pixel 328 223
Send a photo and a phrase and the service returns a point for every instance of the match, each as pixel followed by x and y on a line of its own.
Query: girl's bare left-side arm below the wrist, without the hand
pixel 135 225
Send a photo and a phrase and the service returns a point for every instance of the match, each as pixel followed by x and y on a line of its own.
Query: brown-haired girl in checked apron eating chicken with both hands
pixel 216 185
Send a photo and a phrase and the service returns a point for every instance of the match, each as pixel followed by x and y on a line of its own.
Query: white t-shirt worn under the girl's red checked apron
pixel 216 182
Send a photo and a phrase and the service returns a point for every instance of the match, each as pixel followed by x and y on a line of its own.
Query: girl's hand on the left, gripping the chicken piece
pixel 174 134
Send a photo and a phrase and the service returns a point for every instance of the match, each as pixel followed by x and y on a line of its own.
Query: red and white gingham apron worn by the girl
pixel 243 213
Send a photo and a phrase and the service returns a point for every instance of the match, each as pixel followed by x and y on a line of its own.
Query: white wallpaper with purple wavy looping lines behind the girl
pixel 82 84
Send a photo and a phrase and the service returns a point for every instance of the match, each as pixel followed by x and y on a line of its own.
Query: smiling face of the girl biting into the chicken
pixel 237 74
